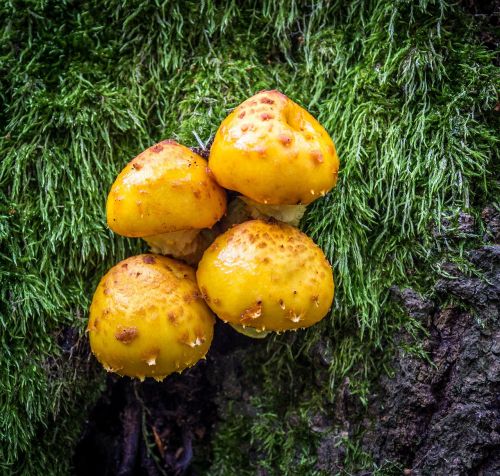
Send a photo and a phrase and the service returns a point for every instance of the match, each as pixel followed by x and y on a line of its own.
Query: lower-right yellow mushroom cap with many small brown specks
pixel 266 275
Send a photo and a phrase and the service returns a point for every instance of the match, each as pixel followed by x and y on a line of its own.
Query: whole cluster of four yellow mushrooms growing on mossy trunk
pixel 153 314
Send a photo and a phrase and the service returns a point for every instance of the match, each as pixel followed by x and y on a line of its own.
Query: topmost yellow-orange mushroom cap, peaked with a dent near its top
pixel 273 151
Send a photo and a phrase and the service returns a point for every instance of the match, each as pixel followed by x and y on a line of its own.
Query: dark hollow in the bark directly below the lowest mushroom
pixel 153 428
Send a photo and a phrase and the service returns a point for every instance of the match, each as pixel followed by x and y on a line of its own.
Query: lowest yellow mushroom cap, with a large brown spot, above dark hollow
pixel 148 319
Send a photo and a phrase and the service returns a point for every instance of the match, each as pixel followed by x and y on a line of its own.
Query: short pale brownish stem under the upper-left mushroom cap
pixel 185 244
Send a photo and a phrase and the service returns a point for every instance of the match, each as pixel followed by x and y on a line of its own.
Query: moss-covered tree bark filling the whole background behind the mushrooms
pixel 408 91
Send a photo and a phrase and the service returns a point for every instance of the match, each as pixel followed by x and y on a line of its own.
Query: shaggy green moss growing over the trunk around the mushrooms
pixel 403 87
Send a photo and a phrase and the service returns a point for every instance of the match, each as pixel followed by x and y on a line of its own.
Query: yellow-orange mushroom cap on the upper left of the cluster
pixel 165 188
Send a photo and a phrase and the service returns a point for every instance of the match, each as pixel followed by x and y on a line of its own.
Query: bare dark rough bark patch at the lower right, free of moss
pixel 443 416
